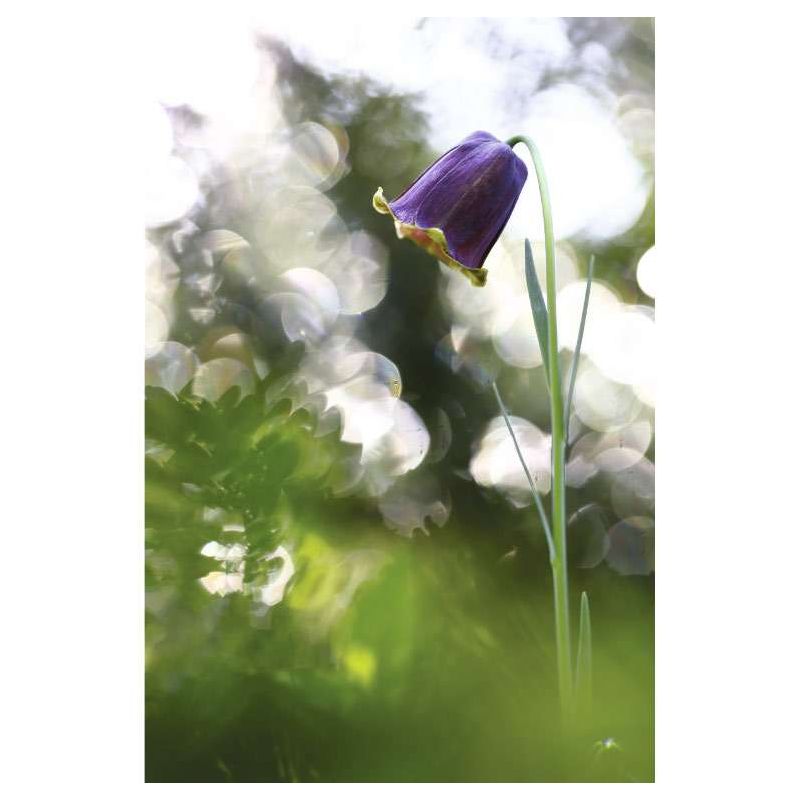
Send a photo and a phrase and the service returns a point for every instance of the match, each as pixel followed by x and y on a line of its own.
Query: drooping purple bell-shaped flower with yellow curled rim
pixel 458 207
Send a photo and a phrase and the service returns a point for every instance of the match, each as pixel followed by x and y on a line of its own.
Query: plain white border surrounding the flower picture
pixel 727 447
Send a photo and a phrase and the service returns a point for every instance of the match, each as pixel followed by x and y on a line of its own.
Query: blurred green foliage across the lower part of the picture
pixel 439 667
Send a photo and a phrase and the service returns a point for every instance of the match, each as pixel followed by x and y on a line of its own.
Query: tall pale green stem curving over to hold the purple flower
pixel 559 519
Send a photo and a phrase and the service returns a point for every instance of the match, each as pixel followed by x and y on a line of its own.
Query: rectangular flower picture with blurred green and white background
pixel 400 400
